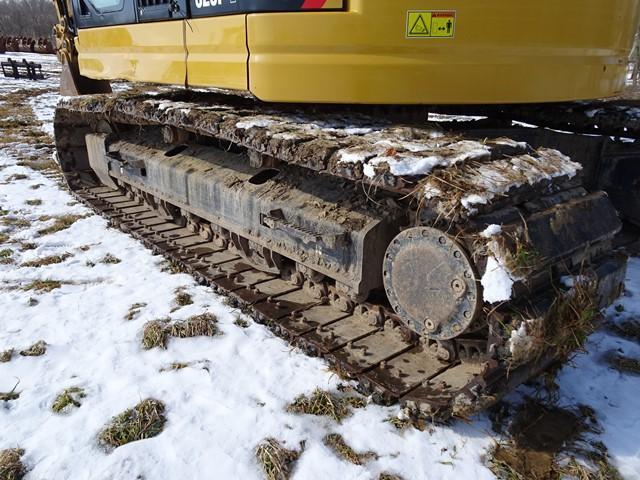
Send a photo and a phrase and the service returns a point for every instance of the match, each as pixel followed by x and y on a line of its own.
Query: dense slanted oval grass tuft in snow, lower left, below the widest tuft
pixel 145 420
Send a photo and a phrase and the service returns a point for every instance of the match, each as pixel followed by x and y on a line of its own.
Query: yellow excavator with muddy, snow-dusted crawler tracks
pixel 413 190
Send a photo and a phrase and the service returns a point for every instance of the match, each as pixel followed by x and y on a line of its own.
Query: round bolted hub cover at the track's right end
pixel 431 283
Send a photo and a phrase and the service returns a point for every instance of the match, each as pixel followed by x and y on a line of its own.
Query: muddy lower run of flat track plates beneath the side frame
pixel 383 362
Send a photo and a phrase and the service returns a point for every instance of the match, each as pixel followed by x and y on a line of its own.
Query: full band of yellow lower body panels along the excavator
pixel 384 52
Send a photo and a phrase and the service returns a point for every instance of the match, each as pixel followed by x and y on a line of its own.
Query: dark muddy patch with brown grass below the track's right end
pixel 550 443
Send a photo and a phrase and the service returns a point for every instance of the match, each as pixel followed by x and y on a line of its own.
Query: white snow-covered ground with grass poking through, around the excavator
pixel 236 390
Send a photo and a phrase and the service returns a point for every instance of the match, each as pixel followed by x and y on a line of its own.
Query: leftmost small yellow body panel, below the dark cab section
pixel 149 52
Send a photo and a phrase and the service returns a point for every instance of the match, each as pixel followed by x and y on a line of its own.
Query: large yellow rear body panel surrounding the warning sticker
pixel 503 51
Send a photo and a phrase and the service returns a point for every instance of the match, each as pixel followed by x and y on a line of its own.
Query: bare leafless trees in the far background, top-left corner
pixel 30 18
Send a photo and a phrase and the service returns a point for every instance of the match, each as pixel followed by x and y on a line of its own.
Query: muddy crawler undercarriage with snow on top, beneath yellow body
pixel 437 264
